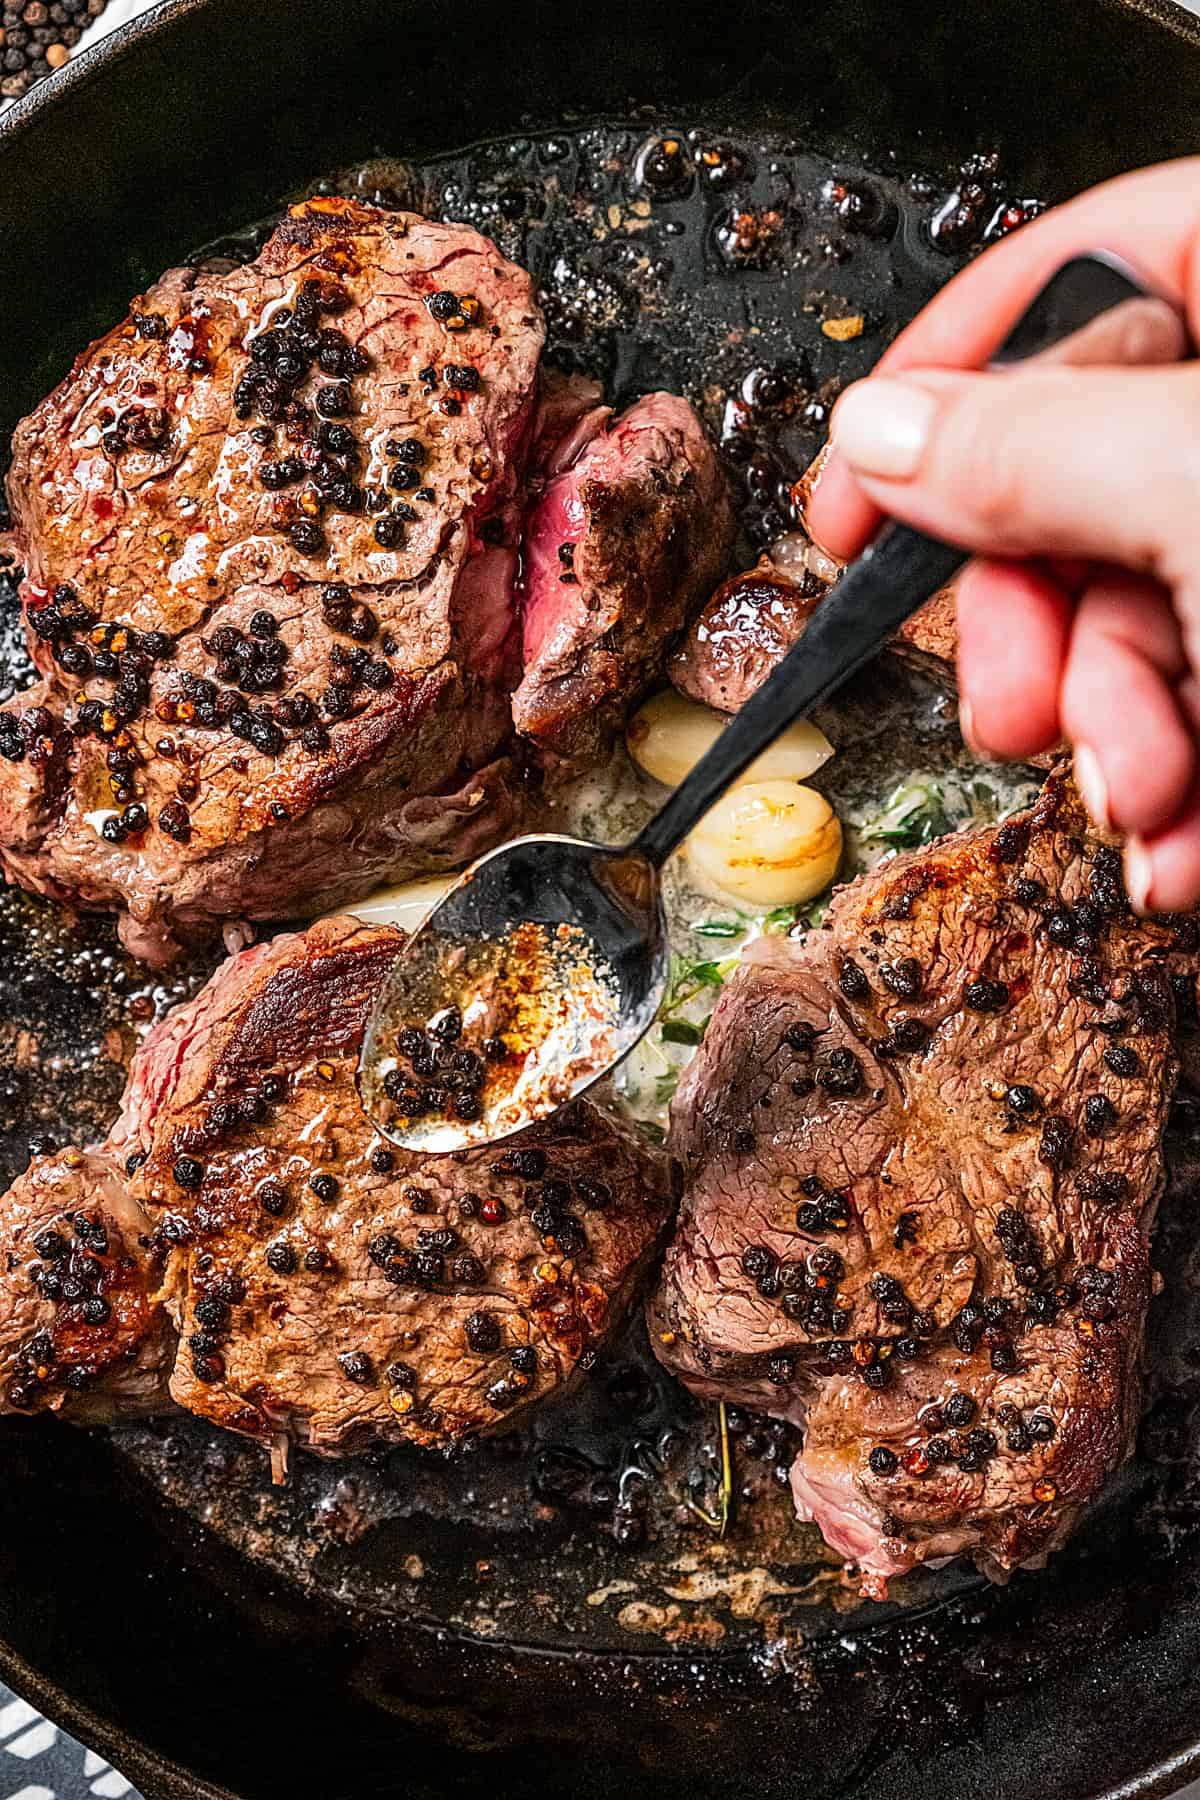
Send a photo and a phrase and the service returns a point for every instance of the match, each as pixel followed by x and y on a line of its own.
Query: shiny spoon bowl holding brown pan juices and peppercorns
pixel 542 967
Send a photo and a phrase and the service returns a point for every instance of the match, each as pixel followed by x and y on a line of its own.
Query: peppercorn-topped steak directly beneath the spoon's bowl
pixel 249 1248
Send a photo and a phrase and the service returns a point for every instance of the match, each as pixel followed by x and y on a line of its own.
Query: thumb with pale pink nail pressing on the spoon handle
pixel 1043 462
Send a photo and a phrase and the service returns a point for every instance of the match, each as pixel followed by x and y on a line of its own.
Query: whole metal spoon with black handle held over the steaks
pixel 548 960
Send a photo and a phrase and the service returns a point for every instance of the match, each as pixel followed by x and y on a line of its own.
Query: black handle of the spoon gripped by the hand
pixel 897 575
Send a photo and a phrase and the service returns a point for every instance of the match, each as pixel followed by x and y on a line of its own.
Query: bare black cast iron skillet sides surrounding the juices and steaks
pixel 192 1668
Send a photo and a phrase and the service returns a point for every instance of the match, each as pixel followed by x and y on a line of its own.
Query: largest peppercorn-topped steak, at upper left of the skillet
pixel 269 530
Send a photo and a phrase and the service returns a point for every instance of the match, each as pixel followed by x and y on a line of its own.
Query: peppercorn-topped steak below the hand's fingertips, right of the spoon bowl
pixel 922 1156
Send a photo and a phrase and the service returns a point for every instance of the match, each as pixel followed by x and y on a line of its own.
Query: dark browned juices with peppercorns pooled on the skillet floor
pixel 757 280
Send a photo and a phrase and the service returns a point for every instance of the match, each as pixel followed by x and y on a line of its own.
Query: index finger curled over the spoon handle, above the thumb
pixel 1151 219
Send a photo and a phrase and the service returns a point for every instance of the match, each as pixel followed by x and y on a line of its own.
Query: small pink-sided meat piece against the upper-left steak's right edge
pixel 622 548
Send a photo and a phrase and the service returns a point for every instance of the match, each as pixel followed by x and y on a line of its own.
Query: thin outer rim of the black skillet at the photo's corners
pixel 152 1772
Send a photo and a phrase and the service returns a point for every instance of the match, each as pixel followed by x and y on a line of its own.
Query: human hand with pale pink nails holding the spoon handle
pixel 1079 487
